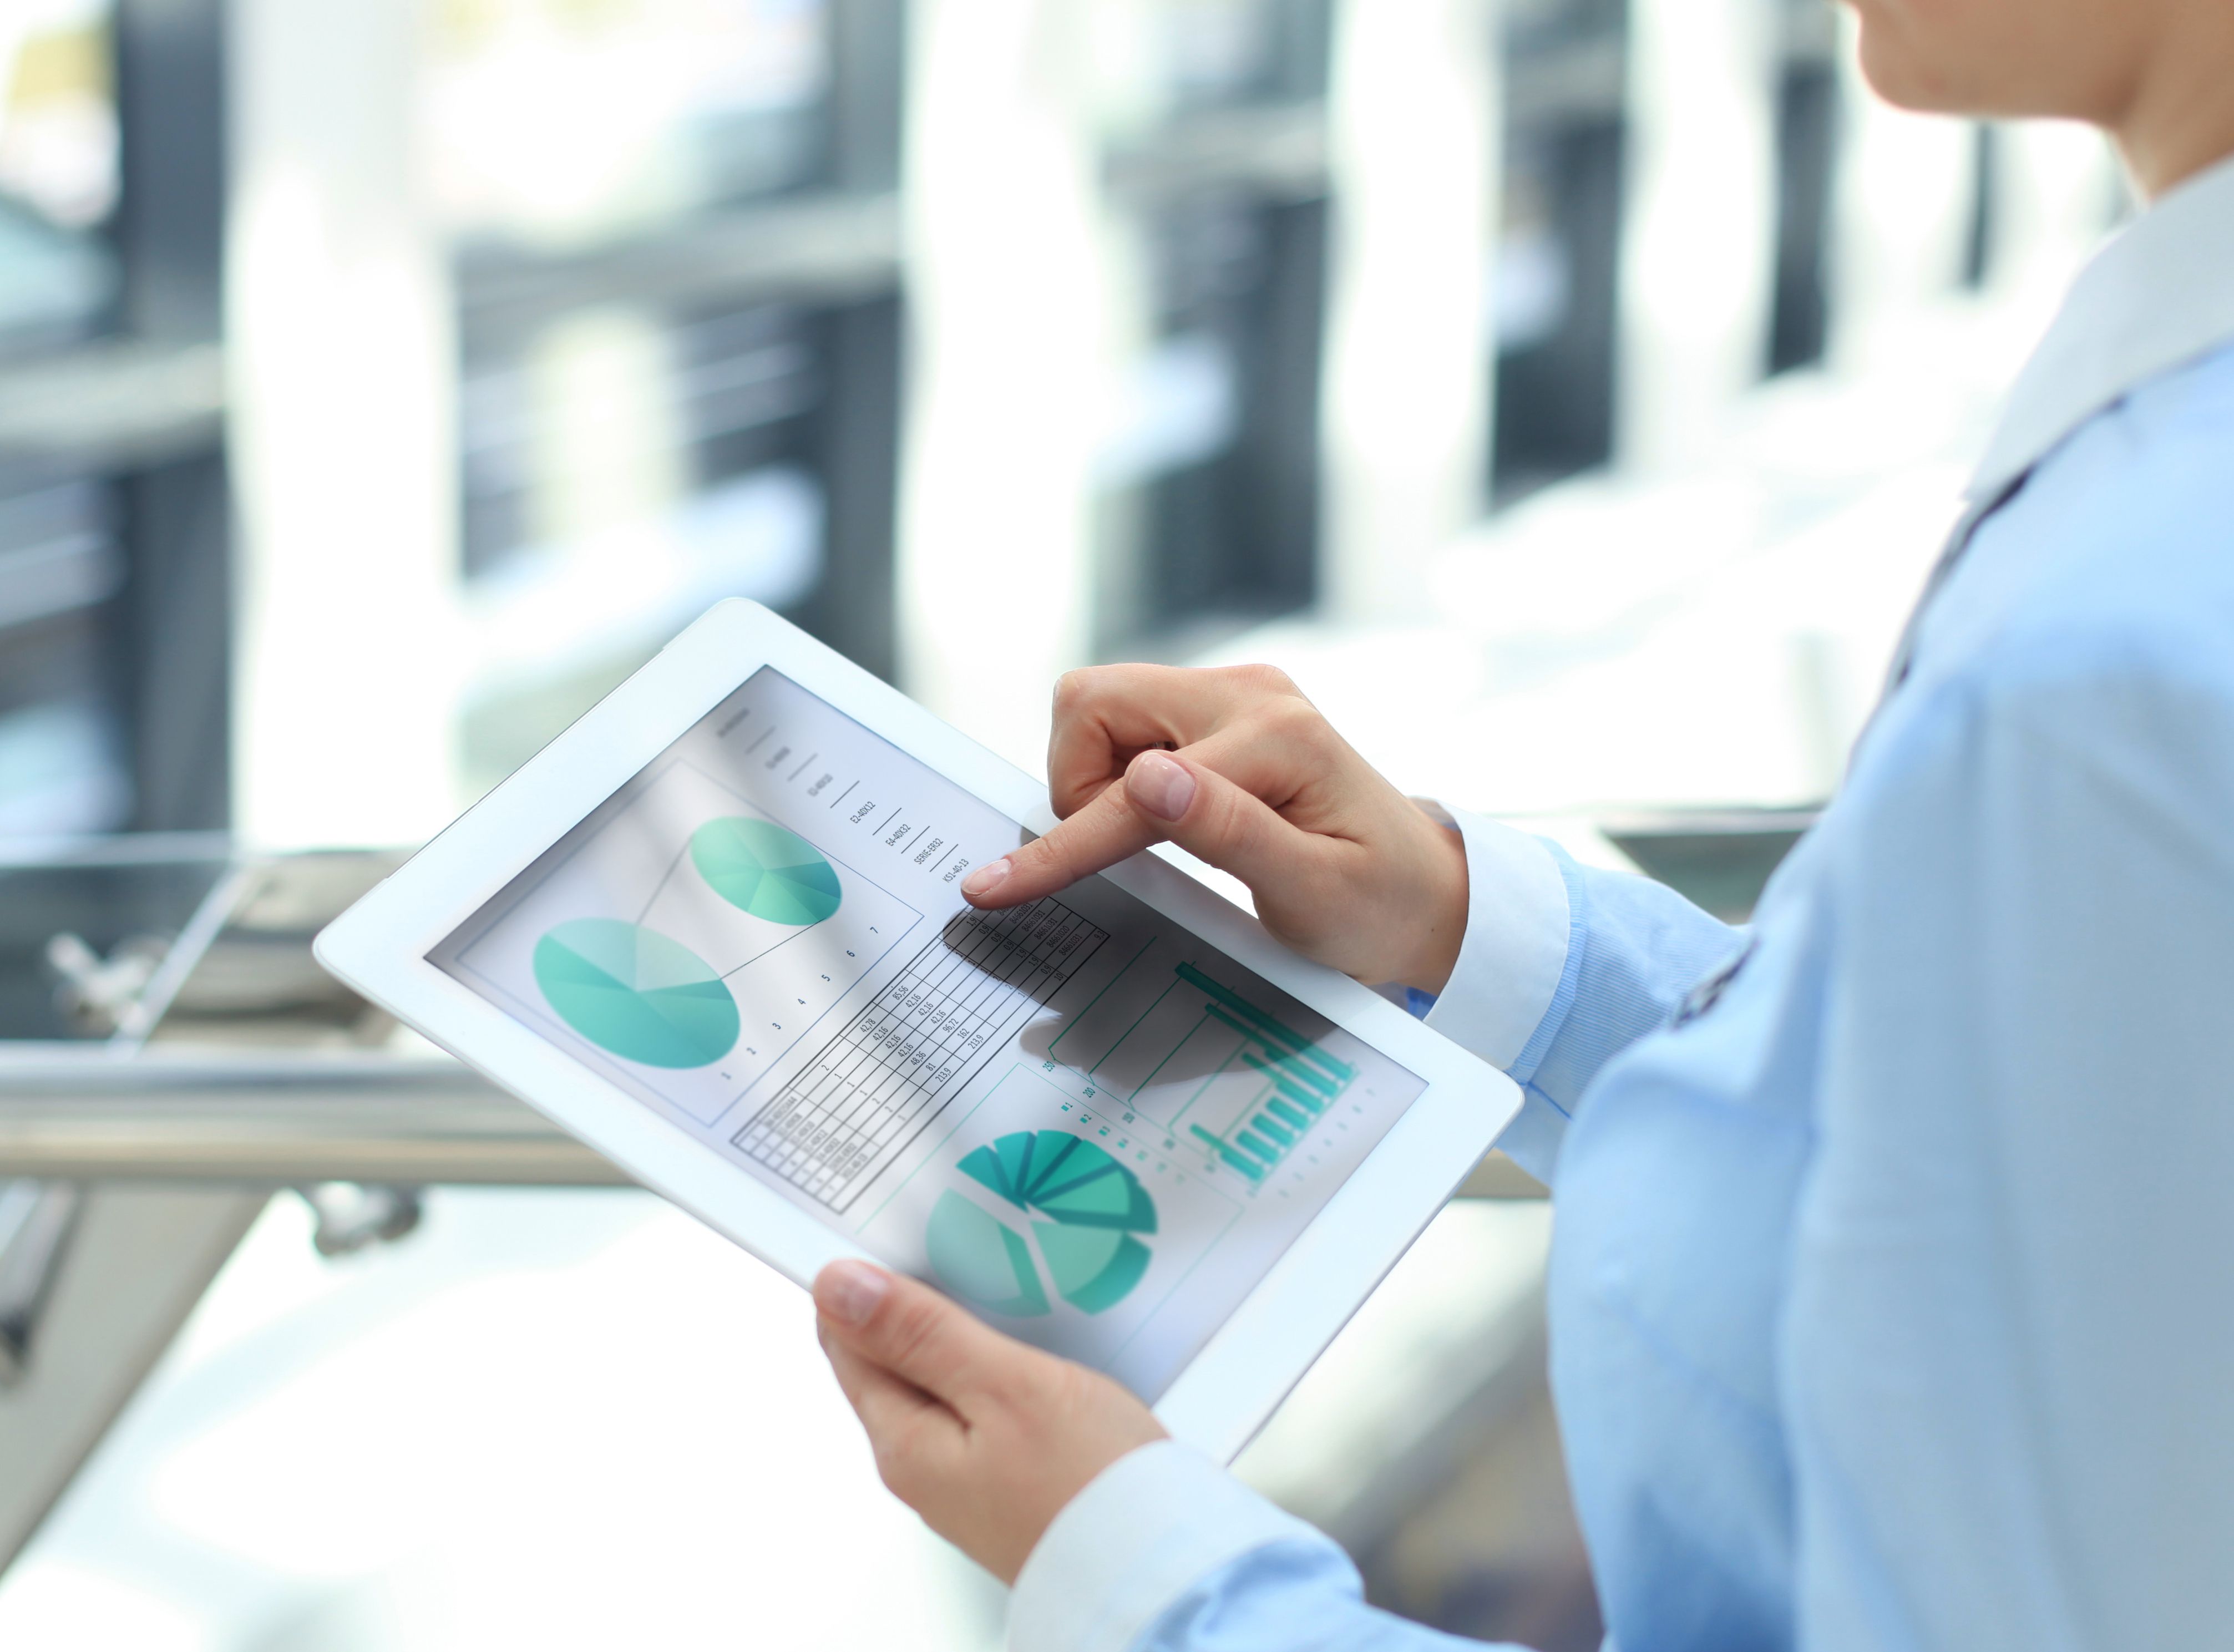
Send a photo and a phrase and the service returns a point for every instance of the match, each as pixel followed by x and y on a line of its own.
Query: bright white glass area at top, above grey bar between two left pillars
pixel 573 122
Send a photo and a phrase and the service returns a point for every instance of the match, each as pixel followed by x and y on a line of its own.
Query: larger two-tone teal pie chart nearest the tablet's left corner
pixel 636 995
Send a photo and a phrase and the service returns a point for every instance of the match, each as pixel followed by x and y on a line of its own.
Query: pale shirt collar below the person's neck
pixel 2152 300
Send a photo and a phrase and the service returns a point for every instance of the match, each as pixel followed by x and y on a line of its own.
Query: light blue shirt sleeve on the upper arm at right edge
pixel 2012 1316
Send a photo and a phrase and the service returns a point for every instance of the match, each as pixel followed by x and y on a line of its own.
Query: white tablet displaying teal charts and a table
pixel 716 930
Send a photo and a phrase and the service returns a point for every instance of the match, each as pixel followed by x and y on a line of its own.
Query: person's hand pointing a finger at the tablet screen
pixel 1239 769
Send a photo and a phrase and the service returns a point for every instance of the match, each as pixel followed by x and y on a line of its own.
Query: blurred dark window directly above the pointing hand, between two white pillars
pixel 1210 459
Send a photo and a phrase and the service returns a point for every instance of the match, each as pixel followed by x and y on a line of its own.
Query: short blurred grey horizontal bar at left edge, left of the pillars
pixel 113 407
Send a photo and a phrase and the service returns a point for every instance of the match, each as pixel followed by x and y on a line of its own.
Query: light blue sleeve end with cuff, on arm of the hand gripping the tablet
pixel 1165 1553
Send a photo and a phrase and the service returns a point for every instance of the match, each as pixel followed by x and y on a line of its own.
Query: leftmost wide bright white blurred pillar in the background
pixel 338 320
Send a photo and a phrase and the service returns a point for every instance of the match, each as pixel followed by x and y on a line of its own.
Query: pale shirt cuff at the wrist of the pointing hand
pixel 1516 943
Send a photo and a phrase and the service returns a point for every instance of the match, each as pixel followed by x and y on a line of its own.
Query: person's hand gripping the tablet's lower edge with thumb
pixel 980 1434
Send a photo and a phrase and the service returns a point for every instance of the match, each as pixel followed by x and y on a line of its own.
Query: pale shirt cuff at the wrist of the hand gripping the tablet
pixel 1132 1544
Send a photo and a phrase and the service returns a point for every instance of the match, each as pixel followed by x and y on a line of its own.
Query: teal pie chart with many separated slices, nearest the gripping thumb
pixel 1087 1213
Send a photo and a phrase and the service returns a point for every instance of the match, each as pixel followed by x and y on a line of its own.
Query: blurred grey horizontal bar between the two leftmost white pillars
pixel 823 249
